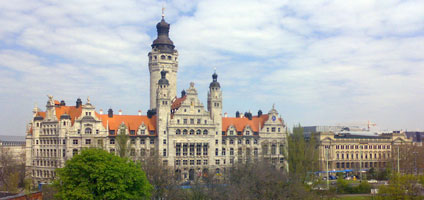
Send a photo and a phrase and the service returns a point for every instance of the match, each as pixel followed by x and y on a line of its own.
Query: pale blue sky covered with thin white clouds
pixel 320 62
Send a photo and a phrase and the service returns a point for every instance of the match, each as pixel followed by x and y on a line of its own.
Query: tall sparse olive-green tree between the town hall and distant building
pixel 302 154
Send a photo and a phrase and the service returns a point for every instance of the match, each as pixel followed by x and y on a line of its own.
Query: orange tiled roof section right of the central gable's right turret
pixel 241 123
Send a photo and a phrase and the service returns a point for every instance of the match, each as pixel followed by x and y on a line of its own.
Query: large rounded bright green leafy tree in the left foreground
pixel 97 174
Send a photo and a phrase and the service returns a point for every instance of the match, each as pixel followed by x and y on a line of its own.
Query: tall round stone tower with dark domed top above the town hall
pixel 163 56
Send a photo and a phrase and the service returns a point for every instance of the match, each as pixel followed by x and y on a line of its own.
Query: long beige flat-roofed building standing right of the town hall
pixel 357 151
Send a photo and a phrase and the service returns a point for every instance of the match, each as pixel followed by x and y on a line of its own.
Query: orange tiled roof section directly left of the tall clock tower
pixel 131 121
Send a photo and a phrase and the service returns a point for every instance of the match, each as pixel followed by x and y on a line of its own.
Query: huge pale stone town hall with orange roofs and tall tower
pixel 189 137
